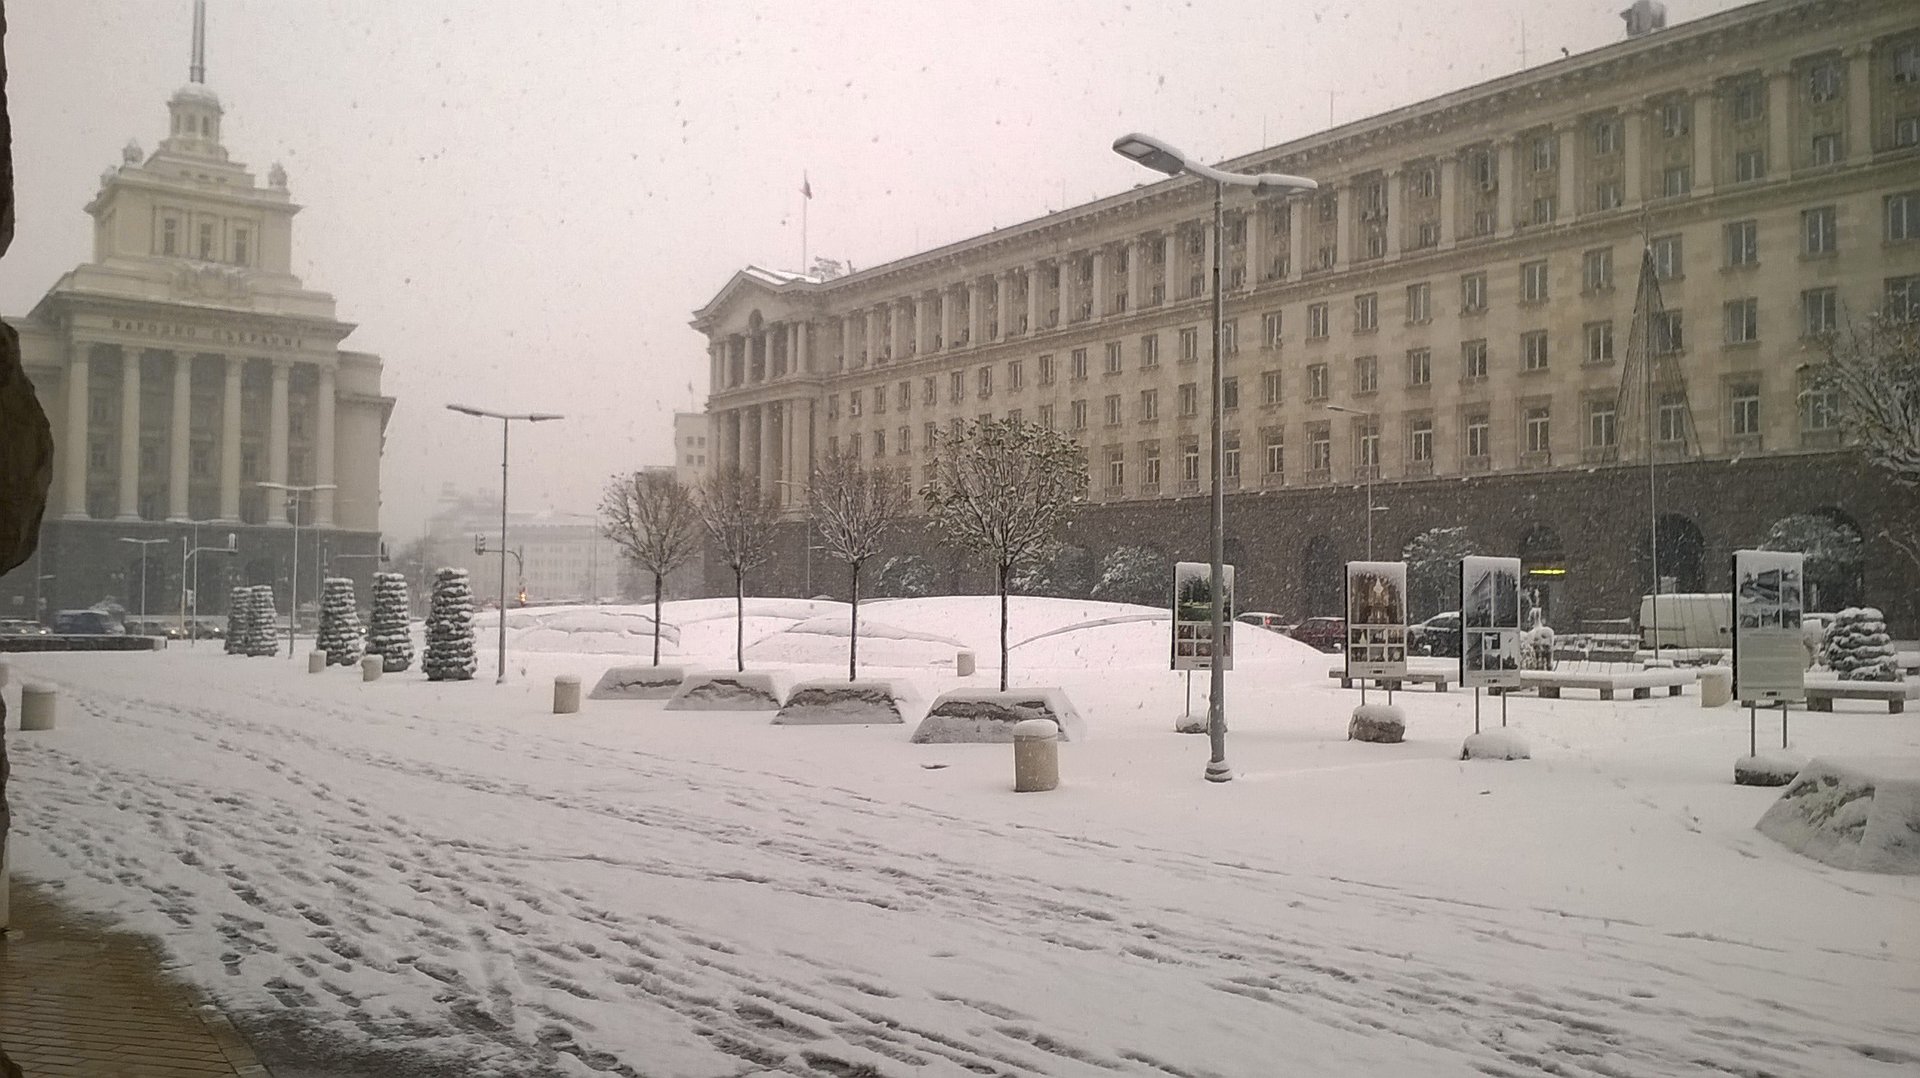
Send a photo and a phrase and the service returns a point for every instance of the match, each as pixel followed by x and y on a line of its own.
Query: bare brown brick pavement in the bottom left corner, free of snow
pixel 85 1002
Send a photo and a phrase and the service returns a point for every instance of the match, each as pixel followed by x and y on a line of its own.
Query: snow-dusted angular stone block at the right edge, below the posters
pixel 1852 814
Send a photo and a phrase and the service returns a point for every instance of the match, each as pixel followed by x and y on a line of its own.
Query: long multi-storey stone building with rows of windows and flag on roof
pixel 1447 318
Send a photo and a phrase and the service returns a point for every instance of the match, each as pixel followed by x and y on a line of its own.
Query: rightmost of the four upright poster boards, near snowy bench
pixel 1769 600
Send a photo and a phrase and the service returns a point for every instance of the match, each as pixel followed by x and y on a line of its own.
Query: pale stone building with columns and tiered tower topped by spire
pixel 183 368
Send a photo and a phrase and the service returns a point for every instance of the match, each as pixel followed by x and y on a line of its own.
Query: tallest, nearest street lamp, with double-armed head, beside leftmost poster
pixel 1164 159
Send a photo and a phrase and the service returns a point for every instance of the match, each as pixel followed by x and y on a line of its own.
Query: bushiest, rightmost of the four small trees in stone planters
pixel 1001 489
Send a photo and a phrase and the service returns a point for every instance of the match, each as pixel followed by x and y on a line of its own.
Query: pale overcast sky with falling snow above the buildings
pixel 521 205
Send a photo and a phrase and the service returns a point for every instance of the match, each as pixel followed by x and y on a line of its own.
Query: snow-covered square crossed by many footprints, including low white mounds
pixel 410 877
